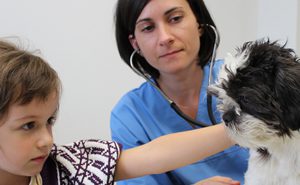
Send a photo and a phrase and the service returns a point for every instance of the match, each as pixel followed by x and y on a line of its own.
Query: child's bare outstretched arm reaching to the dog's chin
pixel 172 151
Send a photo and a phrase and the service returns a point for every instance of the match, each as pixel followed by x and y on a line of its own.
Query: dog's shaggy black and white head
pixel 259 93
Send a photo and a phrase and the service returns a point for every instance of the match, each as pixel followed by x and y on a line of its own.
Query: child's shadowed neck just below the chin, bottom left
pixel 11 179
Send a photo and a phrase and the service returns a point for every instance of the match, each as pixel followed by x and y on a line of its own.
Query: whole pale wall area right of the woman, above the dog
pixel 240 21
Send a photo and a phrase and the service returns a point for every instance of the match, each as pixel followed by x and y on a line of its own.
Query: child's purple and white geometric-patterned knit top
pixel 86 162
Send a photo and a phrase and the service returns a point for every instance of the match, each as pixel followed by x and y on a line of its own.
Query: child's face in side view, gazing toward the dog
pixel 26 136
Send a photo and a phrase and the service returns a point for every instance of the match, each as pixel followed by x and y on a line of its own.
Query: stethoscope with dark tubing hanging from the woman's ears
pixel 148 77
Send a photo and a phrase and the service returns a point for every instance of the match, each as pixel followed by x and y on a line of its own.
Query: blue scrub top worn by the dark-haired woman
pixel 143 115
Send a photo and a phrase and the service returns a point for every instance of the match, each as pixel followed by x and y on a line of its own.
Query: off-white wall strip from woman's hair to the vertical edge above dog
pixel 236 21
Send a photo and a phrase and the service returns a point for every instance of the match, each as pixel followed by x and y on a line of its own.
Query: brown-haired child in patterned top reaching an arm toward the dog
pixel 29 101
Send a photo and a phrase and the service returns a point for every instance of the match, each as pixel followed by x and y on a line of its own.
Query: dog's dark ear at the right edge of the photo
pixel 287 92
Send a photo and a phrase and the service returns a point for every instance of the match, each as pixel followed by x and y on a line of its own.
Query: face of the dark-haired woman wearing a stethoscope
pixel 168 35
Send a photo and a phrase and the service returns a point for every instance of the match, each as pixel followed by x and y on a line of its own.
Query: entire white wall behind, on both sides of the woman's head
pixel 77 38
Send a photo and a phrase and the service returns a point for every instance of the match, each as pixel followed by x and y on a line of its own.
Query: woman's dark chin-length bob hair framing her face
pixel 128 11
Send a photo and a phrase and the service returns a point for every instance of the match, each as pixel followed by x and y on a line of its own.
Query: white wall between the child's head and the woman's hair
pixel 77 39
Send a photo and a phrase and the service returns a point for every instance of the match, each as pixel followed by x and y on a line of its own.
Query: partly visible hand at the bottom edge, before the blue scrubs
pixel 218 180
